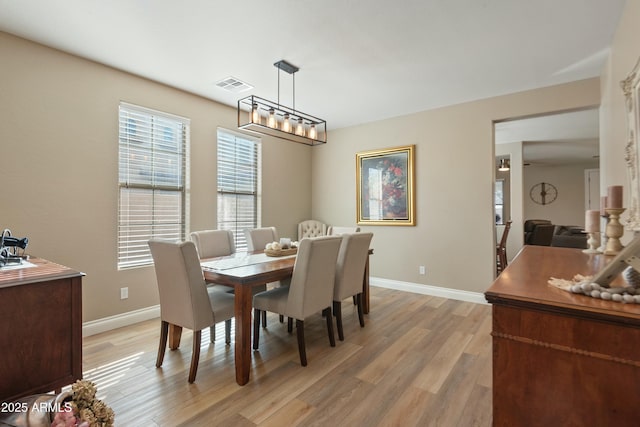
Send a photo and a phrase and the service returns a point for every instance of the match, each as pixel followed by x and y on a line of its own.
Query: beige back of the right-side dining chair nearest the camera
pixel 311 288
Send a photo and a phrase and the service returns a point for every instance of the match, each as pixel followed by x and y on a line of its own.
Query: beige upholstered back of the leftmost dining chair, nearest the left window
pixel 183 294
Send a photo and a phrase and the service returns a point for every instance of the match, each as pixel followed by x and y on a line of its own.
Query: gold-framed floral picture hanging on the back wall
pixel 385 186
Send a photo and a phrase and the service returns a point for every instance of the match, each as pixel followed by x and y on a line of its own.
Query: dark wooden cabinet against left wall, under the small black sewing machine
pixel 40 328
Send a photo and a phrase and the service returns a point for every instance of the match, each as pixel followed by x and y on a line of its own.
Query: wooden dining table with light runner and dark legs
pixel 243 271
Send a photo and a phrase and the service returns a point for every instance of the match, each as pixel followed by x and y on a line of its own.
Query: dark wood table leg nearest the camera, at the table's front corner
pixel 243 305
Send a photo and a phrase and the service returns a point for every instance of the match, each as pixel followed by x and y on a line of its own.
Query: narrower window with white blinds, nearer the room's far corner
pixel 238 184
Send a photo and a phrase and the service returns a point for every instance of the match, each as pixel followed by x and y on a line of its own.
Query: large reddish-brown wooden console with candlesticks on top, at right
pixel 561 359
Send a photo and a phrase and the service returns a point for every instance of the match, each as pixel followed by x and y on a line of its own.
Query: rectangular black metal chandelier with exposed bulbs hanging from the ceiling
pixel 271 118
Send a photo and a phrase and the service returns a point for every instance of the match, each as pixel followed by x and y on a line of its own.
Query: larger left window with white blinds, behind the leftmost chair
pixel 152 181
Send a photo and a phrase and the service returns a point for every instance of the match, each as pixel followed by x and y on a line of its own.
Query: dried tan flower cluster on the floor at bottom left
pixel 82 409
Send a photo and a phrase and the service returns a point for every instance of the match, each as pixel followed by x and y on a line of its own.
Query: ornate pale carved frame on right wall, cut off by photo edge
pixel 631 88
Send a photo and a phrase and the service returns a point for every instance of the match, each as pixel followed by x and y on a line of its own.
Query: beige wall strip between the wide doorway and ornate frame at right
pixel 625 52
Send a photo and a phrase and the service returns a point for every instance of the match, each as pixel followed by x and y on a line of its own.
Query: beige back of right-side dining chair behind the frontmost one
pixel 352 259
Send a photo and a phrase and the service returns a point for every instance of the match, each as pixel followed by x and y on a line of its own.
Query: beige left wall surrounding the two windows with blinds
pixel 59 182
